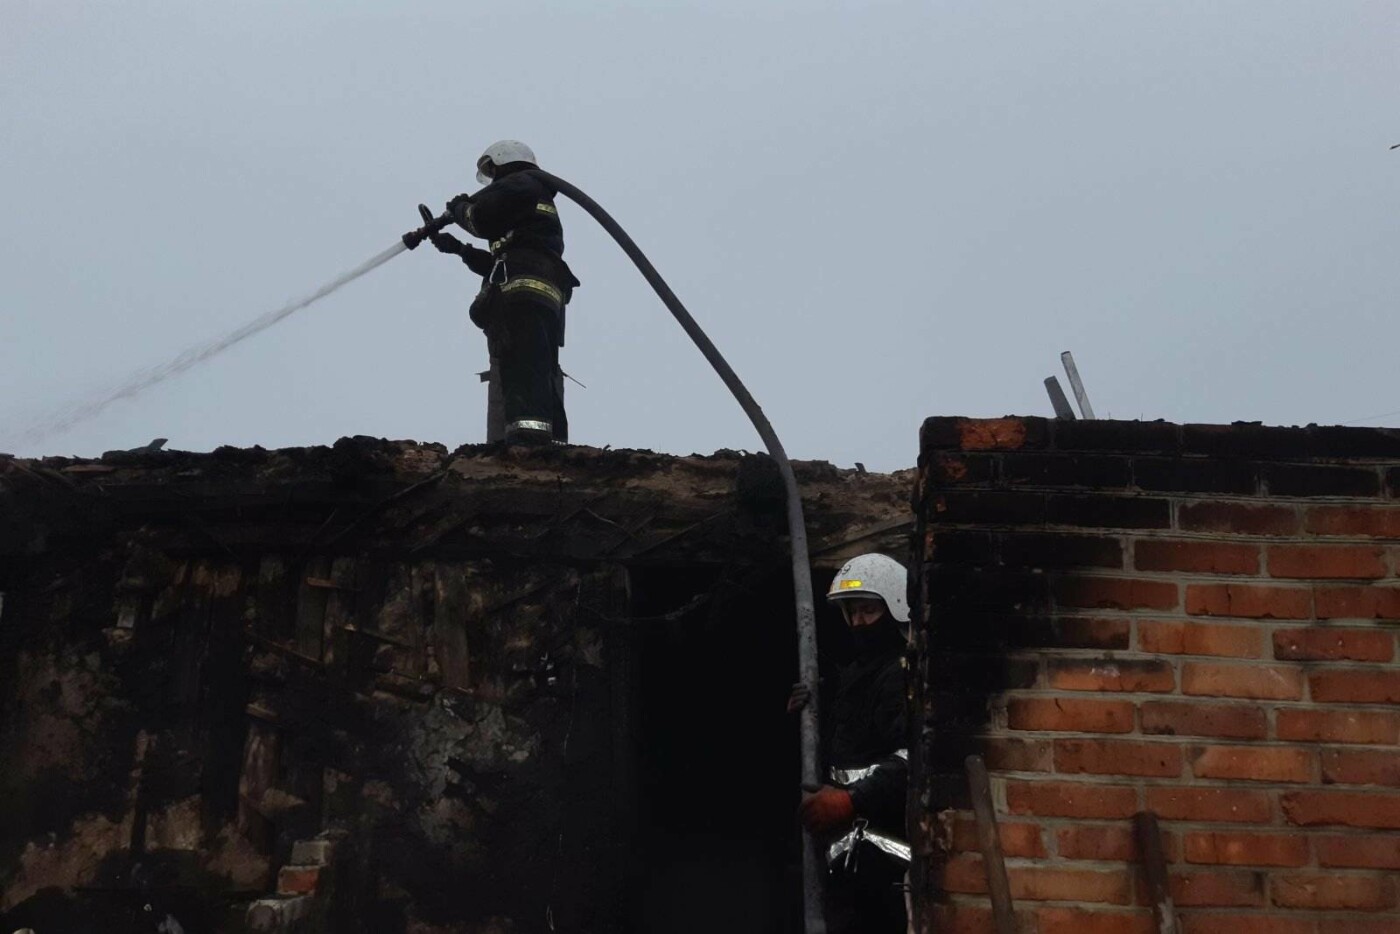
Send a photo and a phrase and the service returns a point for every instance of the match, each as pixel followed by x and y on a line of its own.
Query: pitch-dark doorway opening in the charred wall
pixel 716 754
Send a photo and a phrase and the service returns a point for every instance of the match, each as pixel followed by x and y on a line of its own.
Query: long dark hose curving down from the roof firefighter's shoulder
pixel 814 866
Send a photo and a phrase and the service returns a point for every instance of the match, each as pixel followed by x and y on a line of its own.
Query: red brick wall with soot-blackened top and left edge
pixel 1199 621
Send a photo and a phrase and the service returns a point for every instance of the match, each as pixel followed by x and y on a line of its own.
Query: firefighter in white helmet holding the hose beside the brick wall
pixel 860 814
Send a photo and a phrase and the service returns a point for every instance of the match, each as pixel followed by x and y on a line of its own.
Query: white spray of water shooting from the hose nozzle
pixel 142 380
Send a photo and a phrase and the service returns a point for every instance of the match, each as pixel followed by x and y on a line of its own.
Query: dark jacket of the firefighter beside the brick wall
pixel 867 727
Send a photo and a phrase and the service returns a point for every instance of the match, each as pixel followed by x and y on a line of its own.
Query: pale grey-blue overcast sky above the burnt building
pixel 878 211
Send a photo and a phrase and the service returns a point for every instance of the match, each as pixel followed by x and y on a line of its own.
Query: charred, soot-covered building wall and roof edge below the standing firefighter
pixel 383 687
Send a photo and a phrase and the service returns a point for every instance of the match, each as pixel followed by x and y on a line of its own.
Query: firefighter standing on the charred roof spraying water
pixel 526 286
